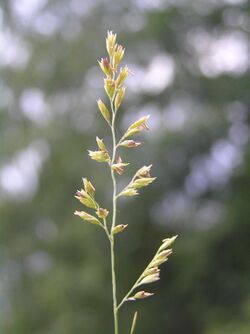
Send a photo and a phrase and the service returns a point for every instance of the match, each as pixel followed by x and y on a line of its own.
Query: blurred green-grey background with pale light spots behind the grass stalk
pixel 191 62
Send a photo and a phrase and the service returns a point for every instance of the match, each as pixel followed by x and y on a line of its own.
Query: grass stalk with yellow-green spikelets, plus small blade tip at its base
pixel 114 79
